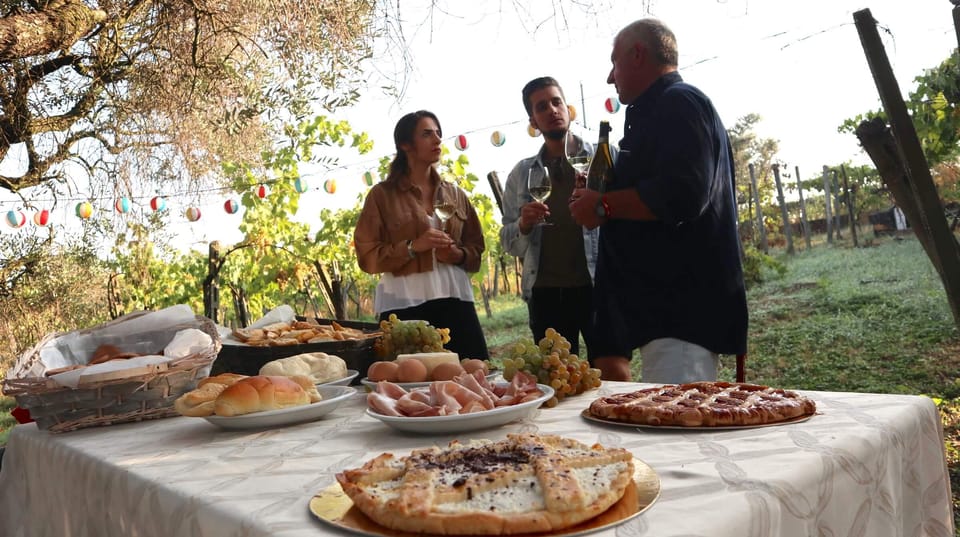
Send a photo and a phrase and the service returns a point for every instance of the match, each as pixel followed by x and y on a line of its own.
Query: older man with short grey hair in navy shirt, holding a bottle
pixel 669 278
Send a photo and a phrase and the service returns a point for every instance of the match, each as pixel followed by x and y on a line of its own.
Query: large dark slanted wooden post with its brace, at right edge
pixel 899 157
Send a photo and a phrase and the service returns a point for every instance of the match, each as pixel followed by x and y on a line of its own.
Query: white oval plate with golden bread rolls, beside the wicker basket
pixel 233 401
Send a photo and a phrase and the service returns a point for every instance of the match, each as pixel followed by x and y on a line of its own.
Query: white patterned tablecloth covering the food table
pixel 866 465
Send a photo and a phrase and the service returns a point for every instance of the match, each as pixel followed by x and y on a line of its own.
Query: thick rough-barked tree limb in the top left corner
pixel 57 27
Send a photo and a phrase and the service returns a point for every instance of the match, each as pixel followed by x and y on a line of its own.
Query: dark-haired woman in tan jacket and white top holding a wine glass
pixel 424 268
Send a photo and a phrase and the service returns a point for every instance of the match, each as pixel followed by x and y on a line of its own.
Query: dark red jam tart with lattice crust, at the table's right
pixel 704 404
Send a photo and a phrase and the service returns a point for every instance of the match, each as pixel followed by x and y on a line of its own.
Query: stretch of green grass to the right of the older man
pixel 861 320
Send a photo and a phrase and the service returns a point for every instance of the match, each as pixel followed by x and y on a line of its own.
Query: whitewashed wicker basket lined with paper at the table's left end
pixel 135 394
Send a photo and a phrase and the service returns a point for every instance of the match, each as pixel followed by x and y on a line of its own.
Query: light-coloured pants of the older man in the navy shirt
pixel 674 361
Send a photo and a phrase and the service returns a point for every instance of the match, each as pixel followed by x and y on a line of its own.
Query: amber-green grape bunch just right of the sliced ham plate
pixel 551 363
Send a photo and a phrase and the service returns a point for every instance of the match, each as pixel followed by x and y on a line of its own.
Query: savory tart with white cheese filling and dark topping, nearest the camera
pixel 526 483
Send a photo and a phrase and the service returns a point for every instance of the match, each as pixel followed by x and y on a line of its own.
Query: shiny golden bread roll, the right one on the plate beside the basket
pixel 260 393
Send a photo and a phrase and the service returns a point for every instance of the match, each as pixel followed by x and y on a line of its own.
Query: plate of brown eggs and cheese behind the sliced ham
pixel 417 370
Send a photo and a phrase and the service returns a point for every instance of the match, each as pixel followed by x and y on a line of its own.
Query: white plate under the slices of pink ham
pixel 465 422
